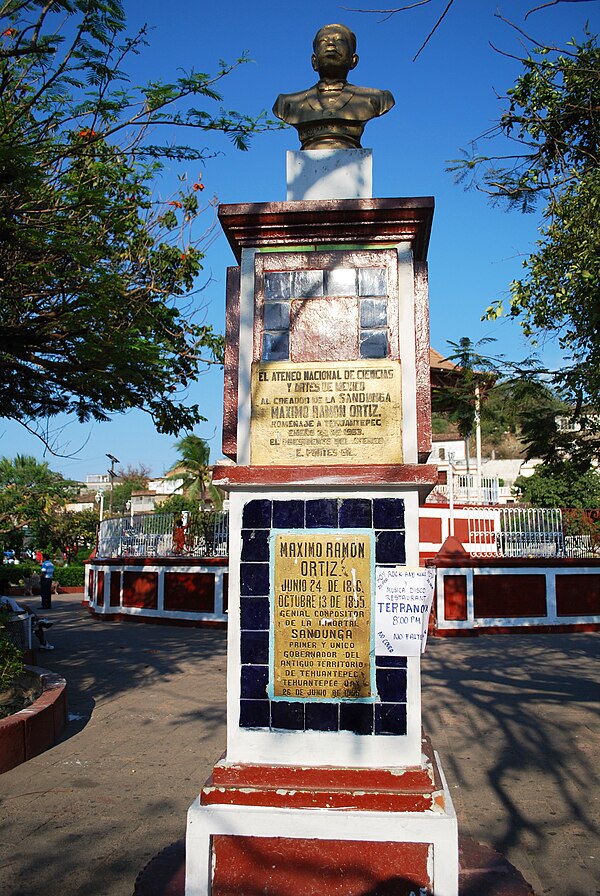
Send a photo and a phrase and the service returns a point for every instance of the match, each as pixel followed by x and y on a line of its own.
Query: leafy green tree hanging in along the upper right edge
pixel 551 130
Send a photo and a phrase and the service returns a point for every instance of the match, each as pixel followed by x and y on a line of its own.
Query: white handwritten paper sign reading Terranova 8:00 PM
pixel 403 602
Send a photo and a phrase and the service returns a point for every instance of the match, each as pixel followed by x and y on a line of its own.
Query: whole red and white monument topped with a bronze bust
pixel 328 784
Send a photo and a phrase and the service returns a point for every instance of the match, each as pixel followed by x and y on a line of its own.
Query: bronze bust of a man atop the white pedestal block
pixel 333 113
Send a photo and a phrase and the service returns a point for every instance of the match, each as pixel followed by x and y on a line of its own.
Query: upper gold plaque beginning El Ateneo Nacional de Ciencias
pixel 343 412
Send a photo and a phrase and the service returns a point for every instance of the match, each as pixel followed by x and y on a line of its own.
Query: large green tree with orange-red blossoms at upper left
pixel 99 313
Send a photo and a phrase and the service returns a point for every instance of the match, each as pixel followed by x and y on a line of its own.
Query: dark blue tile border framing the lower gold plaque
pixel 386 517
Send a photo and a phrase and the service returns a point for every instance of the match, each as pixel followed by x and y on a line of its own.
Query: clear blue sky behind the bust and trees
pixel 443 100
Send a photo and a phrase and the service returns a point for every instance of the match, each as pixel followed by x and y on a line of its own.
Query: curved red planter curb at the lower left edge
pixel 35 729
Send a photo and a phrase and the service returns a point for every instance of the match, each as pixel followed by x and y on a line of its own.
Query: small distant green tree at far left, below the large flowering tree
pixel 30 495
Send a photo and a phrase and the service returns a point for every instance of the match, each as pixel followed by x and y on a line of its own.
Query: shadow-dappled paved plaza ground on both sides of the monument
pixel 515 719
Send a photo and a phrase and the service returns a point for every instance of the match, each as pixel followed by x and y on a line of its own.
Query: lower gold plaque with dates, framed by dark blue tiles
pixel 322 616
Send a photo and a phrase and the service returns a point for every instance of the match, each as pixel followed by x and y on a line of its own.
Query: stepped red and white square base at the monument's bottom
pixel 285 831
